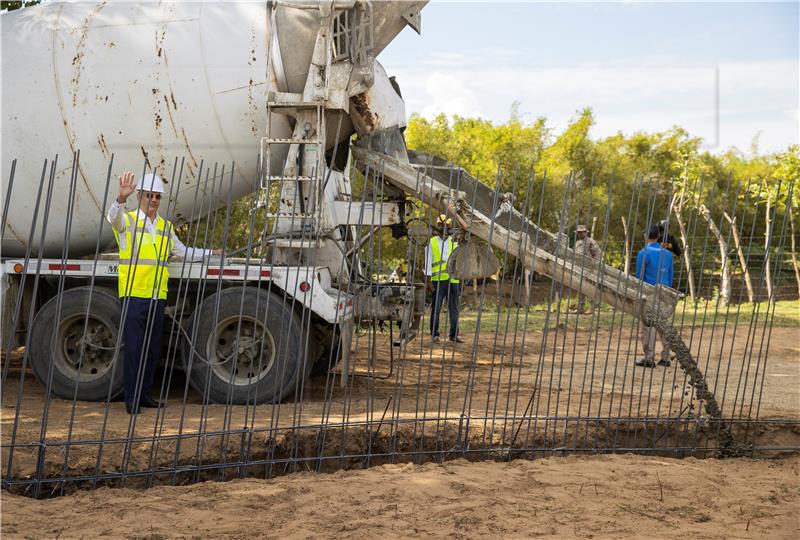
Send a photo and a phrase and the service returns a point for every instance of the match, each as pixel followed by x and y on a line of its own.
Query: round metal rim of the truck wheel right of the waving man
pixel 241 350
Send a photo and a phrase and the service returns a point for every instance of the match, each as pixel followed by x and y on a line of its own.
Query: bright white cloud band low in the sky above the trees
pixel 726 104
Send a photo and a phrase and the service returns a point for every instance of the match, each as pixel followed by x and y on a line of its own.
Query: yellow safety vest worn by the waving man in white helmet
pixel 143 263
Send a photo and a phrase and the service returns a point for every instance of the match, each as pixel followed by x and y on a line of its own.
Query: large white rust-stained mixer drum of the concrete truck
pixel 174 80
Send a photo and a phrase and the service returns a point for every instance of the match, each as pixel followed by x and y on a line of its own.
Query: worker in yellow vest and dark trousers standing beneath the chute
pixel 440 284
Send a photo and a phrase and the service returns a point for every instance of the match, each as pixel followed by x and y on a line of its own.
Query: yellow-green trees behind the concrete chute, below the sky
pixel 665 173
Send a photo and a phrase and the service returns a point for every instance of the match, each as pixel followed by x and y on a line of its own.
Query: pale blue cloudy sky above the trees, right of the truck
pixel 725 71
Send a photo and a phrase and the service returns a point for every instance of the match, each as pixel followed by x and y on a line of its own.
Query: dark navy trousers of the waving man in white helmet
pixel 144 323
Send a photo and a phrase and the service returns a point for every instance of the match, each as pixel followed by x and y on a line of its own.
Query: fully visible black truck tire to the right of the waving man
pixel 261 364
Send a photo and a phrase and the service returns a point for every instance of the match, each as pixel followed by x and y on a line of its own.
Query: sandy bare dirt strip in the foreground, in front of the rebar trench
pixel 619 496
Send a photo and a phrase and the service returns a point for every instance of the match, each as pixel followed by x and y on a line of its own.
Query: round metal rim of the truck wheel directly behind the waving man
pixel 85 348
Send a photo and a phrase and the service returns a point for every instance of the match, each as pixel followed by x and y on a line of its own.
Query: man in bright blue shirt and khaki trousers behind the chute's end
pixel 654 266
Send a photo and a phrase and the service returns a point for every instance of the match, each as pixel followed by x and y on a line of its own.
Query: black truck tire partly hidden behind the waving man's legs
pixel 83 368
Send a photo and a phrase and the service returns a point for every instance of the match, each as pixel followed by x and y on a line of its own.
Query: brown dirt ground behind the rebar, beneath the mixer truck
pixel 576 389
